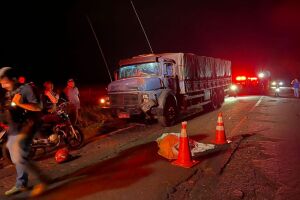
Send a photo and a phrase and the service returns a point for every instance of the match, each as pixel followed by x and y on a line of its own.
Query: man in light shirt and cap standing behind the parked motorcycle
pixel 72 94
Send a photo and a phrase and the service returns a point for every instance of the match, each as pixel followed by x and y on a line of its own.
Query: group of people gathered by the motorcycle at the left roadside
pixel 21 109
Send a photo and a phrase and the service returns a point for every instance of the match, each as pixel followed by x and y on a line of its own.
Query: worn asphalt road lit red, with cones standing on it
pixel 126 165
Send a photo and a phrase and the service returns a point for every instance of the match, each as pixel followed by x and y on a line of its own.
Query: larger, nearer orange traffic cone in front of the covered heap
pixel 184 155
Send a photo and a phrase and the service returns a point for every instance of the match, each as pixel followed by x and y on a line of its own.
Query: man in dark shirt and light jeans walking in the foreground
pixel 22 110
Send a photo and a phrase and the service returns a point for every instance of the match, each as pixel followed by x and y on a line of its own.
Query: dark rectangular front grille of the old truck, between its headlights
pixel 124 99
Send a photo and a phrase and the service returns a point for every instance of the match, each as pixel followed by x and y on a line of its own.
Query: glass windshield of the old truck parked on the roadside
pixel 139 70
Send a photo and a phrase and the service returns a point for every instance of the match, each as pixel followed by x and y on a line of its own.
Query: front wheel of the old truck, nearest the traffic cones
pixel 169 114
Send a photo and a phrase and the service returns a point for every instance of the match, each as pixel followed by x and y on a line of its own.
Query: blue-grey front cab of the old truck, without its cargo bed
pixel 140 83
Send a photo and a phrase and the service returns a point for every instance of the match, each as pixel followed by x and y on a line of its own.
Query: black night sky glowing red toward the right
pixel 51 40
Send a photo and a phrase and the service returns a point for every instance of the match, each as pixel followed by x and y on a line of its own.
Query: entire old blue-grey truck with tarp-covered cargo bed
pixel 164 86
